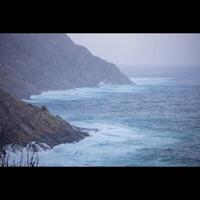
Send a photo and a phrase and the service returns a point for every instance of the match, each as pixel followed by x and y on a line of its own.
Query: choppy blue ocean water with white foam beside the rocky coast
pixel 155 122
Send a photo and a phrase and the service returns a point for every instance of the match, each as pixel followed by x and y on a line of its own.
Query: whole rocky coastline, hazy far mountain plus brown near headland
pixel 32 63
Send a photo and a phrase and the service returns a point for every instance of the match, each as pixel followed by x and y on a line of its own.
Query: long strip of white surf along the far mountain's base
pixel 100 91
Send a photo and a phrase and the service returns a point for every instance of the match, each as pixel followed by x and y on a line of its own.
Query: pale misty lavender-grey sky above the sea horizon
pixel 159 50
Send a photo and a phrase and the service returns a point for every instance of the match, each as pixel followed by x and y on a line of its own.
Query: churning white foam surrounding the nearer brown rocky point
pixel 103 148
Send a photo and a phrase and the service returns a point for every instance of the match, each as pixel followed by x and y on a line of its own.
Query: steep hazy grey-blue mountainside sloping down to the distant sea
pixel 32 63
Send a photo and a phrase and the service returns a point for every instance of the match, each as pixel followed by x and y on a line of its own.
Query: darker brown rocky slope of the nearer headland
pixel 22 123
